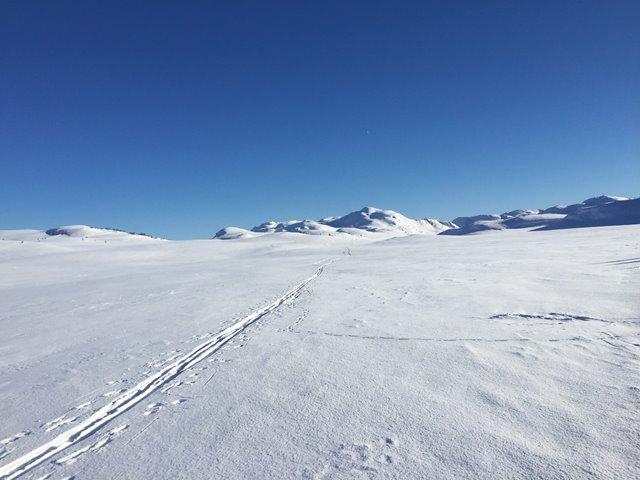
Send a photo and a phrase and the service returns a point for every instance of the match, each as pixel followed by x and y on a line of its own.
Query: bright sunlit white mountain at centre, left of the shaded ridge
pixel 363 222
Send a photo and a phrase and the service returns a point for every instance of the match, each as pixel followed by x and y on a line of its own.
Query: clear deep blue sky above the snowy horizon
pixel 179 118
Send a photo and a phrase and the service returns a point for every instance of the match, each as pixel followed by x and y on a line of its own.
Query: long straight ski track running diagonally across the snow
pixel 142 390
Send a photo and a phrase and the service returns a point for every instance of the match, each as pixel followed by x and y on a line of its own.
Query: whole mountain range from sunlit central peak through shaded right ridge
pixel 370 222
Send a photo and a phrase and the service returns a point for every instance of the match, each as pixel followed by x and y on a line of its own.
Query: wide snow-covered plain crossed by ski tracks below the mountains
pixel 504 354
